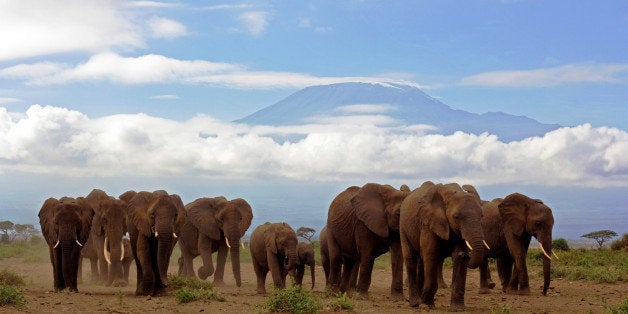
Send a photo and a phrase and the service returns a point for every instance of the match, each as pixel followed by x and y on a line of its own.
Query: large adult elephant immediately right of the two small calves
pixel 362 224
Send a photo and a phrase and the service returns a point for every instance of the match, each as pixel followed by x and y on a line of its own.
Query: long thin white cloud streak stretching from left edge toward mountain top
pixel 152 69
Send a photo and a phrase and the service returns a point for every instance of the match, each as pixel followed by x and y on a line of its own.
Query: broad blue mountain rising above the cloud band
pixel 407 105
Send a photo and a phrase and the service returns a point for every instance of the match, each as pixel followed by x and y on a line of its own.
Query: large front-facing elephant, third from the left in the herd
pixel 155 220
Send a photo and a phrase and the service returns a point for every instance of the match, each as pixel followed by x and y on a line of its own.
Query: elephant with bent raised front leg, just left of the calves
pixel 214 224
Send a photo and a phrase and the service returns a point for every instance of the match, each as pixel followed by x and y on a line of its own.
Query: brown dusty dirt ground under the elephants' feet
pixel 563 297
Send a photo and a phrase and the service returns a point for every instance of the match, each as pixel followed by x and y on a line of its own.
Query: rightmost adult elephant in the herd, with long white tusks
pixel 523 218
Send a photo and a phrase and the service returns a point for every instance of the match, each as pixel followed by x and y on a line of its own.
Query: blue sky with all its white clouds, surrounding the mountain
pixel 140 94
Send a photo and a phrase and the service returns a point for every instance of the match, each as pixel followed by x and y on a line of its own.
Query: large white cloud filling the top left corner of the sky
pixel 40 27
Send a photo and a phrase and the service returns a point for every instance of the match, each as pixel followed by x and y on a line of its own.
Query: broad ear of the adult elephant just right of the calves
pixel 369 208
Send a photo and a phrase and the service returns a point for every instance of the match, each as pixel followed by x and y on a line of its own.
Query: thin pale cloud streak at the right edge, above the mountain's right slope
pixel 573 73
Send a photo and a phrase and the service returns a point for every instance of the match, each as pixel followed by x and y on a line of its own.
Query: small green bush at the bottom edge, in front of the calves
pixel 292 300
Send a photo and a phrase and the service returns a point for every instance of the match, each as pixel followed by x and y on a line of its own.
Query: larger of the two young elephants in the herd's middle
pixel 273 248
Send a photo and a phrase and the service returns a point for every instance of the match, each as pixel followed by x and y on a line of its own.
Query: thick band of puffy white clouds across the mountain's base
pixel 56 140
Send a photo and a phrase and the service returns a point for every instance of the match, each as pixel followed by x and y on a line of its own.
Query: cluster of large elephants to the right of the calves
pixel 422 227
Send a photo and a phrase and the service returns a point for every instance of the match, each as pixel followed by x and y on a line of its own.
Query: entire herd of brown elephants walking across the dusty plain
pixel 420 228
